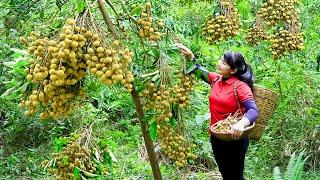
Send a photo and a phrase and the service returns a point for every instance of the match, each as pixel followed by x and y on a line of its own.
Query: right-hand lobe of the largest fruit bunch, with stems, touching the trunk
pixel 107 58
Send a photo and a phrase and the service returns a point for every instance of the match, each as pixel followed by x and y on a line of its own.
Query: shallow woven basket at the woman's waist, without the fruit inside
pixel 227 136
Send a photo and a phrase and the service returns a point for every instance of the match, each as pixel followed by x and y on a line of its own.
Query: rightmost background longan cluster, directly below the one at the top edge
pixel 285 41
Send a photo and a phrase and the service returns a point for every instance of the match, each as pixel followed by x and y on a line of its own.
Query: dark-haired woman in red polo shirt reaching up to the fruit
pixel 232 71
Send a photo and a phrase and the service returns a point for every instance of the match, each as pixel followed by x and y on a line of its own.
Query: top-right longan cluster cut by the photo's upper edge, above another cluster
pixel 273 11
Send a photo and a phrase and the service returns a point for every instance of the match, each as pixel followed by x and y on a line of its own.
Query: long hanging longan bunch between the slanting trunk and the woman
pixel 158 98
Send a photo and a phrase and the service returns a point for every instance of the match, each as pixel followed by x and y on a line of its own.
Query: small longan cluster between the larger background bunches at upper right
pixel 255 35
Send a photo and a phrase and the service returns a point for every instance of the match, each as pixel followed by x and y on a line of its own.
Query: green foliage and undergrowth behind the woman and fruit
pixel 25 142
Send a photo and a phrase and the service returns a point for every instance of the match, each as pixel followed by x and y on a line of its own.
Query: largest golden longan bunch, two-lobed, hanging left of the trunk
pixel 58 65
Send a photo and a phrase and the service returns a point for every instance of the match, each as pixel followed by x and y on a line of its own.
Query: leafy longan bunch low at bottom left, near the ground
pixel 76 156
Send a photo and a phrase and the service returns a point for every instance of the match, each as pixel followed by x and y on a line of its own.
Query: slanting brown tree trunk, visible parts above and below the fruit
pixel 136 99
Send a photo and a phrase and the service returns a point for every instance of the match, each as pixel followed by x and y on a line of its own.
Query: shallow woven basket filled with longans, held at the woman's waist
pixel 221 129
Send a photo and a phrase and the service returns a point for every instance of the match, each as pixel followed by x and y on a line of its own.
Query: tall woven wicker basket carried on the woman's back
pixel 266 102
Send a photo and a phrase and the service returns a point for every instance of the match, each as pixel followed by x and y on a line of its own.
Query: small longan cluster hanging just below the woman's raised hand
pixel 182 90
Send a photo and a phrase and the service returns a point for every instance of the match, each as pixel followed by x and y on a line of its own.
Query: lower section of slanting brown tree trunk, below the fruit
pixel 146 136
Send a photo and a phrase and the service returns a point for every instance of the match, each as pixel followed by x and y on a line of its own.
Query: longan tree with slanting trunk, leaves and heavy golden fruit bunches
pixel 138 57
